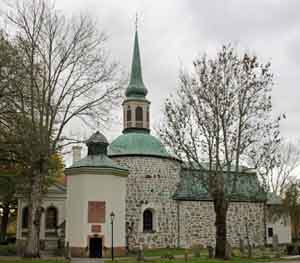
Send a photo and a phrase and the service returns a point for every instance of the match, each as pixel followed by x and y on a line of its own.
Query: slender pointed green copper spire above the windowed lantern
pixel 136 87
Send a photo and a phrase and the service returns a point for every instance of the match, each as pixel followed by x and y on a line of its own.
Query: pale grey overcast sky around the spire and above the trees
pixel 173 32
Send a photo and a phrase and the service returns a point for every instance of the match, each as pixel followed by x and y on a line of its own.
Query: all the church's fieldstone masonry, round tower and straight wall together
pixel 151 184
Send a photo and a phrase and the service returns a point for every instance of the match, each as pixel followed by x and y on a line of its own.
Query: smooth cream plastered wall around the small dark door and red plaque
pixel 95 187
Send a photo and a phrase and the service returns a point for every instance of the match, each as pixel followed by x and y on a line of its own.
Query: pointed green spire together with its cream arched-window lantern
pixel 135 105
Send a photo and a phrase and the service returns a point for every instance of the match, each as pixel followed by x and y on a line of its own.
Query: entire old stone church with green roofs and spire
pixel 136 192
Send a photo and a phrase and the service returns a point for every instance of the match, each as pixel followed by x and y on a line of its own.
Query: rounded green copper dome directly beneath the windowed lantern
pixel 137 143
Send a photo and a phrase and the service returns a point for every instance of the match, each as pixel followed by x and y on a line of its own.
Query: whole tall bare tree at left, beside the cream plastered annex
pixel 66 75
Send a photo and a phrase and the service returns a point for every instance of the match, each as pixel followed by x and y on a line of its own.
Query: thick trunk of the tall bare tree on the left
pixel 32 249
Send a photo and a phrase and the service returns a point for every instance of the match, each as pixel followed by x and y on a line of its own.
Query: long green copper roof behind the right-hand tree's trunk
pixel 191 188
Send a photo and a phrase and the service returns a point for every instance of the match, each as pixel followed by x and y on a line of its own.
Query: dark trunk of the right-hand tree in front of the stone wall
pixel 221 207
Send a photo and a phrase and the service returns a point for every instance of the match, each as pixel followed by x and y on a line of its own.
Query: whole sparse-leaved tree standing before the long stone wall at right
pixel 221 115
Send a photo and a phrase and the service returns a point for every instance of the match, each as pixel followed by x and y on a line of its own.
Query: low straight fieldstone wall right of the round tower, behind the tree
pixel 197 220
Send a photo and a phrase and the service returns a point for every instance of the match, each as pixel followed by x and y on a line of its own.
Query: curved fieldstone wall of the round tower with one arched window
pixel 151 184
